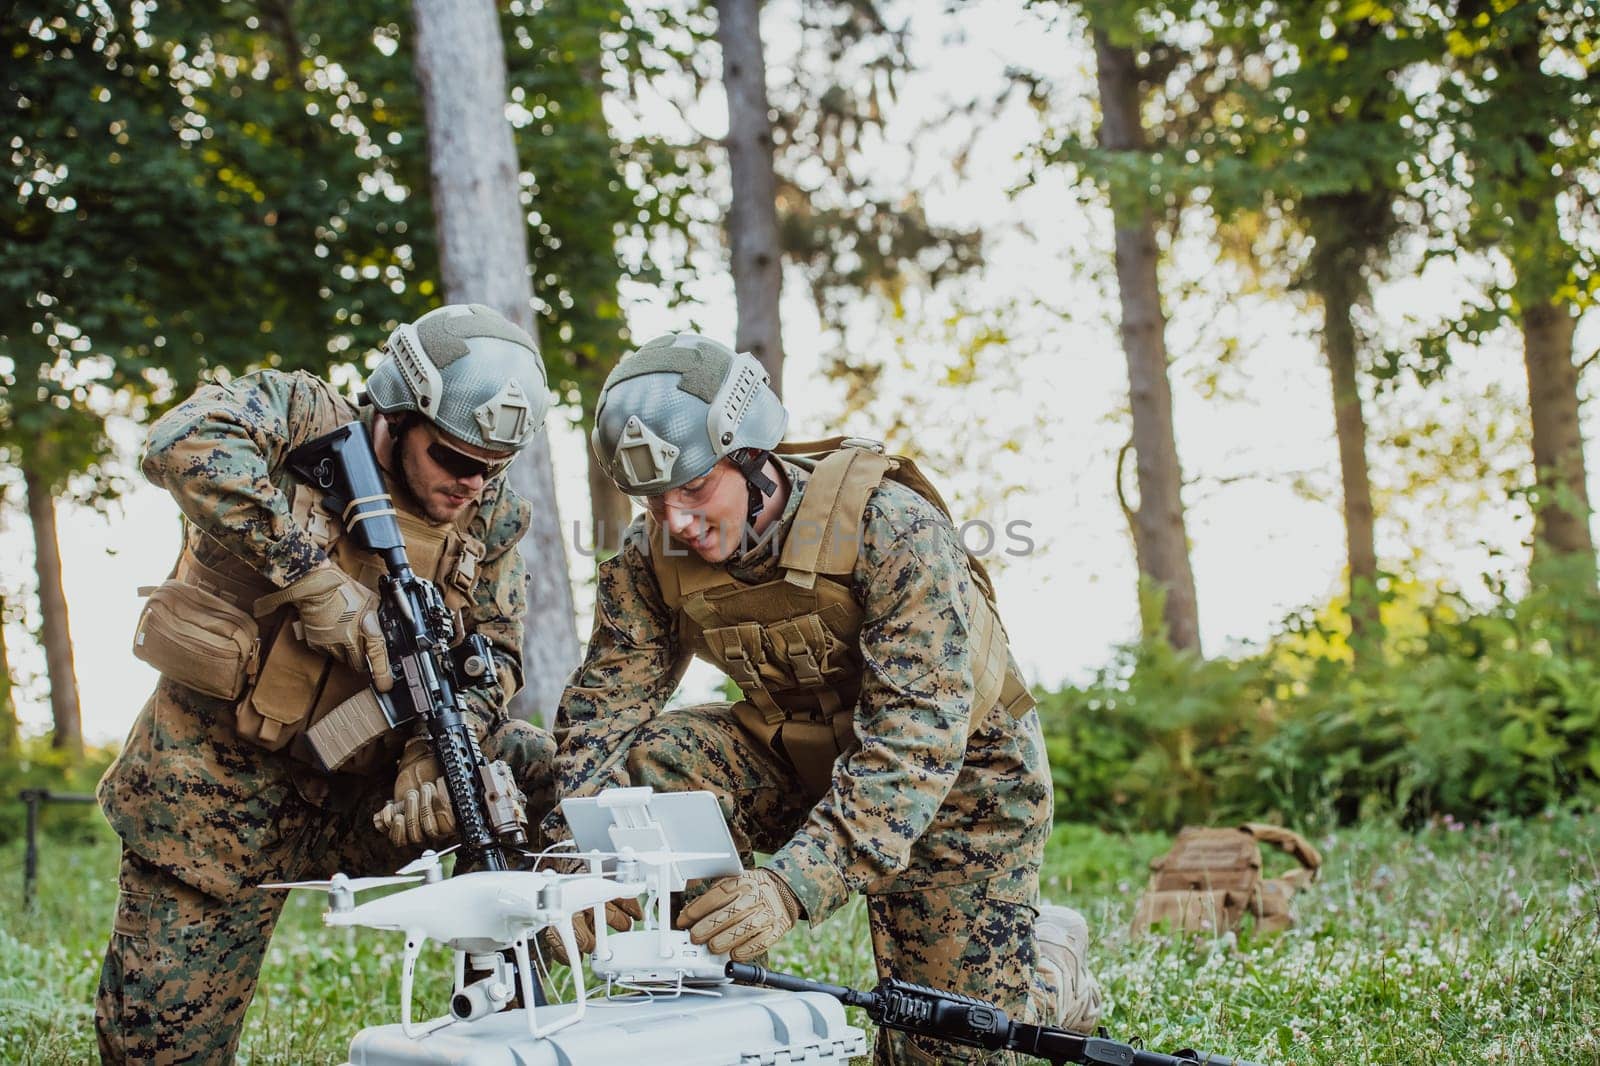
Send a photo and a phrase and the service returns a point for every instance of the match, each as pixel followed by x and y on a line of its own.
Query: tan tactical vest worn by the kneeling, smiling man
pixel 793 644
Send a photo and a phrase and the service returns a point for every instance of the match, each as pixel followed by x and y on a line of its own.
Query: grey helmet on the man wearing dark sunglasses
pixel 468 371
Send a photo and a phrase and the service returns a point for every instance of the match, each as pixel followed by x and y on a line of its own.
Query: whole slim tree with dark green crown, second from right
pixel 1322 146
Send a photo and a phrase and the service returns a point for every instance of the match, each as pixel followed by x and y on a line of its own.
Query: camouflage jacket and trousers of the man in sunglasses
pixel 206 816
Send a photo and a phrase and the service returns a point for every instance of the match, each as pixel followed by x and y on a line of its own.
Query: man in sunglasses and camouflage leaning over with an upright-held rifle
pixel 268 627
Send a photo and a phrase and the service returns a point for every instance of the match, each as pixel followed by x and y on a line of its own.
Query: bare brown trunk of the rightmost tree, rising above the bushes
pixel 1562 513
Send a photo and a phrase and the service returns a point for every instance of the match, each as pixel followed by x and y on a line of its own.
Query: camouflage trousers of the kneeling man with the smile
pixel 975 939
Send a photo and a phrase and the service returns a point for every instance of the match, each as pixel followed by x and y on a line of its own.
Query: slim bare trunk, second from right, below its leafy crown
pixel 1338 291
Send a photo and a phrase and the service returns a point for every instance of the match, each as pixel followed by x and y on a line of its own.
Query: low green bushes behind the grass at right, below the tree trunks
pixel 1465 713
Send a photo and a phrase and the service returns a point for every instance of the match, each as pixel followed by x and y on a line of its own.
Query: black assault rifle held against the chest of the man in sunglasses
pixel 418 630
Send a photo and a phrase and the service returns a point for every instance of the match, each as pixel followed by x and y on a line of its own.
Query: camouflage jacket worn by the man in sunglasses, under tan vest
pixel 185 779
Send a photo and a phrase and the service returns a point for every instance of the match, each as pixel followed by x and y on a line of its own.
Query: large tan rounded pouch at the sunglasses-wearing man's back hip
pixel 198 639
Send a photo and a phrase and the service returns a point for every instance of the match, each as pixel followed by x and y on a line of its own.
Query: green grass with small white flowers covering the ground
pixel 1450 945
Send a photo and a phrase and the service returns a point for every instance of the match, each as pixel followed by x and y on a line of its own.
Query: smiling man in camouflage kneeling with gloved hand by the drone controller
pixel 886 743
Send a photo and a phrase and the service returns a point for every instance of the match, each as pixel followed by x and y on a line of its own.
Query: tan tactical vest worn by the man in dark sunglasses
pixel 292 686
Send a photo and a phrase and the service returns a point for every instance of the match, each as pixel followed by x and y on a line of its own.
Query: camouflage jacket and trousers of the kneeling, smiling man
pixel 938 822
